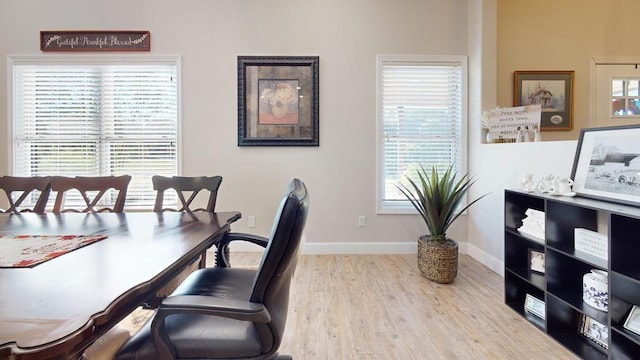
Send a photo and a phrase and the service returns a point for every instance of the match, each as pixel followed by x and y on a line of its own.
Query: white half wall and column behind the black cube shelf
pixel 498 166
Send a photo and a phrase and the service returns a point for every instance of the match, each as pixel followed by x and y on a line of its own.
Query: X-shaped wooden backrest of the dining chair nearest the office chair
pixel 183 185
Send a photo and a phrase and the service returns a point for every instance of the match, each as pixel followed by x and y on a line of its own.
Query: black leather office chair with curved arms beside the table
pixel 229 313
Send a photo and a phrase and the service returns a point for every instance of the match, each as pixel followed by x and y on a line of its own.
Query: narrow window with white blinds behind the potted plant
pixel 421 121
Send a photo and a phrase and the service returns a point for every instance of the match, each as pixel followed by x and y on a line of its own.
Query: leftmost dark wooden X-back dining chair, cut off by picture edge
pixel 18 189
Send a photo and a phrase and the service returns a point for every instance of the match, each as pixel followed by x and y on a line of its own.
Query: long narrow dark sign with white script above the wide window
pixel 95 41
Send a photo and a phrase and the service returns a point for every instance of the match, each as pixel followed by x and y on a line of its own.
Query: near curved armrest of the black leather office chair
pixel 201 305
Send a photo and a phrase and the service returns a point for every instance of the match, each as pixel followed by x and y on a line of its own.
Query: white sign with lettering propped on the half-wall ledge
pixel 507 123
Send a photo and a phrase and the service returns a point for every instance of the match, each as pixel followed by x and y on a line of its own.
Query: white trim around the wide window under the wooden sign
pixel 13 60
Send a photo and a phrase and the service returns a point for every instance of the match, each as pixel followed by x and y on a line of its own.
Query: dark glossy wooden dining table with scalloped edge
pixel 57 308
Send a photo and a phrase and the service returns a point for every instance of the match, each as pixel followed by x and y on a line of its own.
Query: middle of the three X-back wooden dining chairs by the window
pixel 91 193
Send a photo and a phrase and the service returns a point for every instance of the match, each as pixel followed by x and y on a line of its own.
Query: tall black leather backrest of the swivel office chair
pixel 273 278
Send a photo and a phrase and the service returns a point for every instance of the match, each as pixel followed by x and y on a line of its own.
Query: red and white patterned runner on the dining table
pixel 20 251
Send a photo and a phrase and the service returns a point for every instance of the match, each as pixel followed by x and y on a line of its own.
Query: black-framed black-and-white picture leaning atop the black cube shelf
pixel 607 164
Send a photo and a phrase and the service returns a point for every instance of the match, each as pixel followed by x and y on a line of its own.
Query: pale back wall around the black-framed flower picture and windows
pixel 210 34
